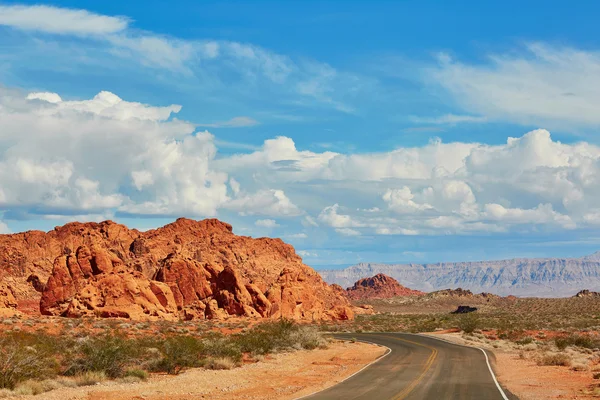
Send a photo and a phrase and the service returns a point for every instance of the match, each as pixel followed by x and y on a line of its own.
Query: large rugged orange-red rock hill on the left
pixel 188 269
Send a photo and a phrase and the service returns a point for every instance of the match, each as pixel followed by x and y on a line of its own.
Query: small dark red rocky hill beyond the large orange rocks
pixel 379 286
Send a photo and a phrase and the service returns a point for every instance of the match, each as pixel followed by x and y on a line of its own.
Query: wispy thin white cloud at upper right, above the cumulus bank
pixel 549 85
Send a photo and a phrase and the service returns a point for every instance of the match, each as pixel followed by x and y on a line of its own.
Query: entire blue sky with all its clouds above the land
pixel 376 131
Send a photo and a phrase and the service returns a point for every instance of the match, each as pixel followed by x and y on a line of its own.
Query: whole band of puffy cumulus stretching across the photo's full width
pixel 109 156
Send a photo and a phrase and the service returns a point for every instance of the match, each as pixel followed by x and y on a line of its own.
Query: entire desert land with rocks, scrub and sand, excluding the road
pixel 94 309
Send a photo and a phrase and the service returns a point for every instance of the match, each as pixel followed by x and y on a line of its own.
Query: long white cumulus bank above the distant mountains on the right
pixel 529 183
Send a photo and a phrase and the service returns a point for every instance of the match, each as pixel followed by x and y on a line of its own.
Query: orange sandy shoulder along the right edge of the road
pixel 527 380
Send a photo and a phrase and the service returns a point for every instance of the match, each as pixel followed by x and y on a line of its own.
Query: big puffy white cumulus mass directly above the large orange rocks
pixel 106 154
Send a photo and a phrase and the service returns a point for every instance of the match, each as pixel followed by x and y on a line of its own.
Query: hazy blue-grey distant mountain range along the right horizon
pixel 539 277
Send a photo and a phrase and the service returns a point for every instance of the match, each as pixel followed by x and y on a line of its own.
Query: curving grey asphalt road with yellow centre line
pixel 418 368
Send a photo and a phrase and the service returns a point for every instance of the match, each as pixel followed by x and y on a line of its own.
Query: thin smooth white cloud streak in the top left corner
pixel 56 20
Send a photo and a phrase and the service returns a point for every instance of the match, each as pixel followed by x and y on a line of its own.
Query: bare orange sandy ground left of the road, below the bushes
pixel 282 377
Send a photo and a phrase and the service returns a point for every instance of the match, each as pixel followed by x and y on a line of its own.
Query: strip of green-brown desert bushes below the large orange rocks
pixel 28 361
